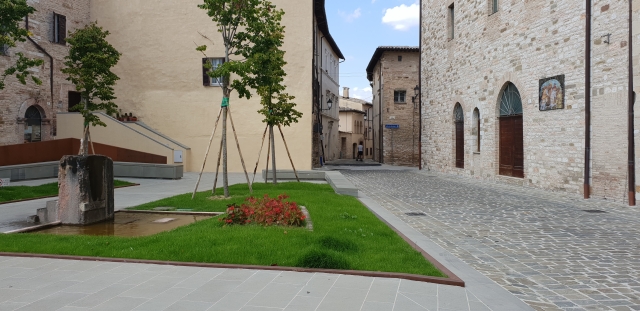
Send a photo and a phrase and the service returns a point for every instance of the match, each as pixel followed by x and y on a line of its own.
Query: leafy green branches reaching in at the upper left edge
pixel 11 13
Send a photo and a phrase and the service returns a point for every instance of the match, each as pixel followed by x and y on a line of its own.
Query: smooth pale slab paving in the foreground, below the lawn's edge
pixel 52 284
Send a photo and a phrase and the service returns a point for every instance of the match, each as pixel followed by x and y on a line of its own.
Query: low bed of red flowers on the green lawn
pixel 266 212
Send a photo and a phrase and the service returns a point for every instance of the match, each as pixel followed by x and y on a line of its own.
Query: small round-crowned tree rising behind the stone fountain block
pixel 88 66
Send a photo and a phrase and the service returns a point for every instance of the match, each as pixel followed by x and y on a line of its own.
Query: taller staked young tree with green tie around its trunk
pixel 234 19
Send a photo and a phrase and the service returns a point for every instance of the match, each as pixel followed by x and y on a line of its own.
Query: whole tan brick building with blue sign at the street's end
pixel 394 73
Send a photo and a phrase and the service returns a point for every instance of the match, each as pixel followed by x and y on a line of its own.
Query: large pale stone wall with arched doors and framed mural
pixel 523 42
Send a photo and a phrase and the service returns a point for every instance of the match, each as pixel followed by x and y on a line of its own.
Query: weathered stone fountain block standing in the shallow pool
pixel 85 189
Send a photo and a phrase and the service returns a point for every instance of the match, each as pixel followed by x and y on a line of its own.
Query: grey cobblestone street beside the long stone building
pixel 542 247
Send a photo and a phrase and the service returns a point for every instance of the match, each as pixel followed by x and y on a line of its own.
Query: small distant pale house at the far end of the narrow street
pixel 353 127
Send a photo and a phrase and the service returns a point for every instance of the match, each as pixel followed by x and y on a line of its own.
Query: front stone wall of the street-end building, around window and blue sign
pixel 400 146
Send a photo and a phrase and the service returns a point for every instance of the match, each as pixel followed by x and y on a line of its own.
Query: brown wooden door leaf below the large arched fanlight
pixel 511 147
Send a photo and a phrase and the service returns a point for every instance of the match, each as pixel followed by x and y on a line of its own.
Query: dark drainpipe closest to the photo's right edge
pixel 632 164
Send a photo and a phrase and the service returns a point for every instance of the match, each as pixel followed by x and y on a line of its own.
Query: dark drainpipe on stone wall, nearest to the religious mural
pixel 587 104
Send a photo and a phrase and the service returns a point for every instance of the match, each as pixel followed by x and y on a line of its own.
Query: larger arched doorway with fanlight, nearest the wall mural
pixel 511 133
